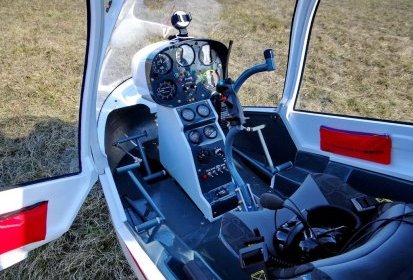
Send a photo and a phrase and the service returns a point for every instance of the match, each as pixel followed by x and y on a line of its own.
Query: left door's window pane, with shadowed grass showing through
pixel 42 50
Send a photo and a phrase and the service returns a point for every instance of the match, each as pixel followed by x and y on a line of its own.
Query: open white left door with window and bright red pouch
pixel 51 57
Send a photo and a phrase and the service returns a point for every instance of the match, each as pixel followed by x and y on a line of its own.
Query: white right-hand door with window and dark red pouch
pixel 348 98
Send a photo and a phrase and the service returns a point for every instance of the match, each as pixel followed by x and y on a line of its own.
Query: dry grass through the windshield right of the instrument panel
pixel 254 28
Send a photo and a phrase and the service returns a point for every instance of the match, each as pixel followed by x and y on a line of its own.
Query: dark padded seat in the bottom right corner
pixel 387 254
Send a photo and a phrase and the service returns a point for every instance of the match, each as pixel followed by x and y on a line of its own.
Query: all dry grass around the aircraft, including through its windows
pixel 360 64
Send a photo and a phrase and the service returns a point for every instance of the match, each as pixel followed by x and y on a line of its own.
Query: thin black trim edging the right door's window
pixel 302 74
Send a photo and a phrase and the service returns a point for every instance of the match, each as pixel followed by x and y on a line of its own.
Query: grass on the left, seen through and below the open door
pixel 42 50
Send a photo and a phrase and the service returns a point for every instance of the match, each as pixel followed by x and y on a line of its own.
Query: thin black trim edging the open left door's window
pixel 4 188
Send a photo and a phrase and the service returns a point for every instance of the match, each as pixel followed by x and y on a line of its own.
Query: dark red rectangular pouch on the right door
pixel 367 146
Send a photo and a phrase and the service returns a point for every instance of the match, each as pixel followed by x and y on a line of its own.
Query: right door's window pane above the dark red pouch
pixel 360 60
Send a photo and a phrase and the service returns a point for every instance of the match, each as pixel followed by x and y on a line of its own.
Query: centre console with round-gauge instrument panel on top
pixel 180 76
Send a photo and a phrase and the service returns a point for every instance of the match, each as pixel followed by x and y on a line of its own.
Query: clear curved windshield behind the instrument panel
pixel 266 25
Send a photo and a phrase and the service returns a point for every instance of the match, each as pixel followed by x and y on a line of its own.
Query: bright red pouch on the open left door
pixel 23 226
